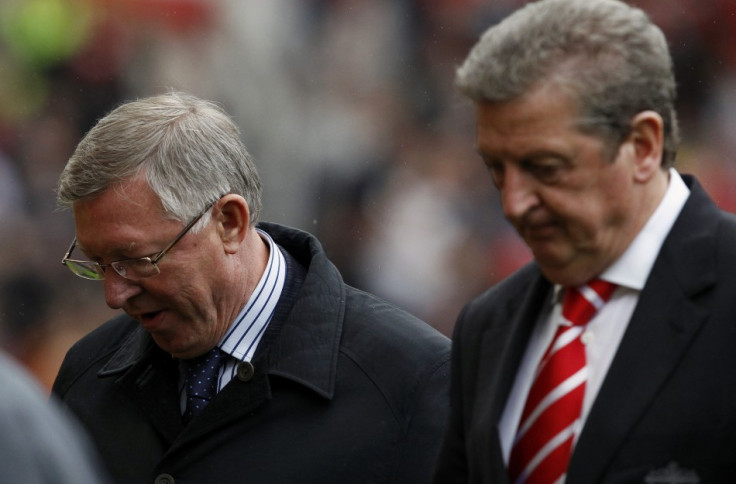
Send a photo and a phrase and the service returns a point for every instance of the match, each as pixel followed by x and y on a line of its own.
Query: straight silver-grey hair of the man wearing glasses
pixel 188 149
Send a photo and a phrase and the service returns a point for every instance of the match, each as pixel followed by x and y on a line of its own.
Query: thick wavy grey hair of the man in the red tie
pixel 607 55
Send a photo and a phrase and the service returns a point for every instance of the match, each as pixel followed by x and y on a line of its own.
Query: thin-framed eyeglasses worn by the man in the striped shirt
pixel 133 269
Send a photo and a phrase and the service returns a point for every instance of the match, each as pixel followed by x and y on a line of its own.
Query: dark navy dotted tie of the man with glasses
pixel 200 381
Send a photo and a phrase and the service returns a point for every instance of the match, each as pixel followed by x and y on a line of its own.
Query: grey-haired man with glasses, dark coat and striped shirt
pixel 241 356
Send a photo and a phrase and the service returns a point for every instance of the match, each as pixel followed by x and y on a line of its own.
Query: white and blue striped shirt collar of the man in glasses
pixel 242 338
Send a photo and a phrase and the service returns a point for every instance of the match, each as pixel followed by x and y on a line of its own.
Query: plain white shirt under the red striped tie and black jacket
pixel 604 332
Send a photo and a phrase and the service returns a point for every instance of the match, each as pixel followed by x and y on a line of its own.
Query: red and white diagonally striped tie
pixel 551 415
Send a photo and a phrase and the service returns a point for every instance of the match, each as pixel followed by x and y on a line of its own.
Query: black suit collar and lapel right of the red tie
pixel 660 332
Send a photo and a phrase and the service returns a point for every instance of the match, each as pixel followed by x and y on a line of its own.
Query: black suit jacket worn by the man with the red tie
pixel 668 402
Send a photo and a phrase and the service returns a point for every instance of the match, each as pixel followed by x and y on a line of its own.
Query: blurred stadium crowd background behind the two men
pixel 349 110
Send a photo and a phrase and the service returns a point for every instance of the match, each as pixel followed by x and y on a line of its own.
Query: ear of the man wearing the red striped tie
pixel 647 137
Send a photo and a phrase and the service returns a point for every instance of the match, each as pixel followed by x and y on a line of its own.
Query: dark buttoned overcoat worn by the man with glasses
pixel 346 389
